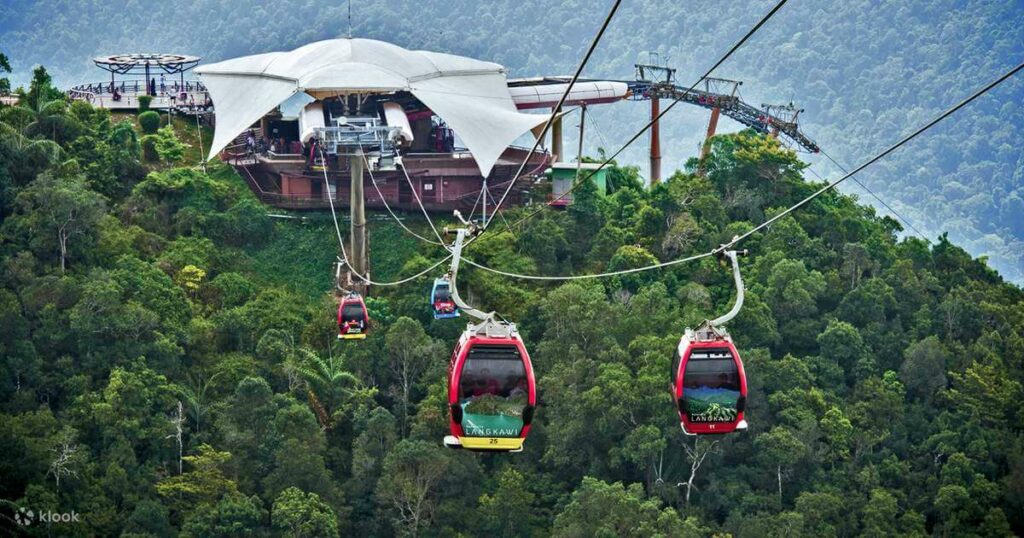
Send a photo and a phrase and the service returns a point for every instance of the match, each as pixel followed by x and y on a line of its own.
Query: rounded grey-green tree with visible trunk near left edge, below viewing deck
pixel 58 210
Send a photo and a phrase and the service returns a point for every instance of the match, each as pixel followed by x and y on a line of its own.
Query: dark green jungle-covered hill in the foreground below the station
pixel 170 367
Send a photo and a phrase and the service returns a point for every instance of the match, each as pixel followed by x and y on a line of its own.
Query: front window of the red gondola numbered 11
pixel 711 386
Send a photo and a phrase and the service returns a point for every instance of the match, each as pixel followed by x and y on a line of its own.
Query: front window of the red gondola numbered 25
pixel 494 392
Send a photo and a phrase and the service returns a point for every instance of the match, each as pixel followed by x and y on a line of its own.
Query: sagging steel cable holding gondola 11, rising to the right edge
pixel 735 241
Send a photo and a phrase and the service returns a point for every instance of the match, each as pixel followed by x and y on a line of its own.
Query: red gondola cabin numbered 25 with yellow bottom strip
pixel 492 391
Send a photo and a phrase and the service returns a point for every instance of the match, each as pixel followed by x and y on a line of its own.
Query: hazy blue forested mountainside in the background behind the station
pixel 867 73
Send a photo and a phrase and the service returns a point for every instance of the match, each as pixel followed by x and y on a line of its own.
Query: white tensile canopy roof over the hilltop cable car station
pixel 471 96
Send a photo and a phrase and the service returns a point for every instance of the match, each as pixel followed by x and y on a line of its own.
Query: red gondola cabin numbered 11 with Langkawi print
pixel 709 385
